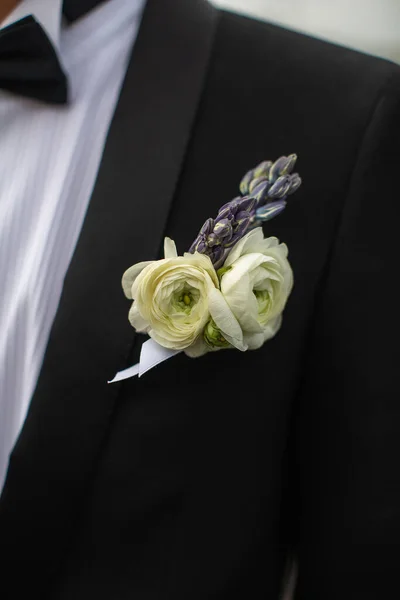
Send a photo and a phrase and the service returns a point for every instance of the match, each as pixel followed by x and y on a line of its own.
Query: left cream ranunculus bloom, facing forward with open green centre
pixel 174 298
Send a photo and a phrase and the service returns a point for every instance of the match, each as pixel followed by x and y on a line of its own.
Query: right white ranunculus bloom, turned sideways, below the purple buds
pixel 256 285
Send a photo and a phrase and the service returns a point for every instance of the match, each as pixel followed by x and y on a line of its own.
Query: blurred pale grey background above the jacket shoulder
pixel 372 26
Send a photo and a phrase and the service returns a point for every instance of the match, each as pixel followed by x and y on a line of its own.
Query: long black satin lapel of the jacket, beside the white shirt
pixel 91 339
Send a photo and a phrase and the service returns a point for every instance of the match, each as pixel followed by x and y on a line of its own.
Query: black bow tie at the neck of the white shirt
pixel 29 65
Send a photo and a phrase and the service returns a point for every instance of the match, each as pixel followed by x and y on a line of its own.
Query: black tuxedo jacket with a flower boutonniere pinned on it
pixel 198 480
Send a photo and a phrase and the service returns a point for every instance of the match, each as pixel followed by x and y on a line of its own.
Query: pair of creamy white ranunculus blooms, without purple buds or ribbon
pixel 183 303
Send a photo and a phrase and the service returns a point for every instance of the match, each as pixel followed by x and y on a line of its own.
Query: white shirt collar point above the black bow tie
pixel 47 12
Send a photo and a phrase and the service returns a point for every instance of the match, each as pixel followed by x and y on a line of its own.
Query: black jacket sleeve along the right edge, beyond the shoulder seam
pixel 346 435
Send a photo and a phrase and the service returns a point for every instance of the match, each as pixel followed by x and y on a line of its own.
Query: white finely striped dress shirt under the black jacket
pixel 50 156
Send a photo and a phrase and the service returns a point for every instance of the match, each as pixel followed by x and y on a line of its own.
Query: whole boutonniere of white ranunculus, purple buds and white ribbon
pixel 229 290
